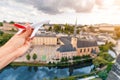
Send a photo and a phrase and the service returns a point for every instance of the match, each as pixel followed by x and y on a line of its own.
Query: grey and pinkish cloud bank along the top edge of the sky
pixel 59 6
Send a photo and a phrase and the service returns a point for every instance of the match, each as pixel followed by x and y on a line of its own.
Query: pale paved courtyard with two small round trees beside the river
pixel 46 52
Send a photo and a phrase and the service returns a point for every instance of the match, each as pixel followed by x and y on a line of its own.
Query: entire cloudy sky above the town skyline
pixel 61 11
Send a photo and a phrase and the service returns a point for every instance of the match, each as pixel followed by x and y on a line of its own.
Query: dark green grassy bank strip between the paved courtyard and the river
pixel 59 64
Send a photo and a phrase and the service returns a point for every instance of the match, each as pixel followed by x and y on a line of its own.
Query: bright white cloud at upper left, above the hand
pixel 11 10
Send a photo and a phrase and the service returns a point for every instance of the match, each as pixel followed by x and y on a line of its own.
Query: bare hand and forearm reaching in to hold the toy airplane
pixel 15 47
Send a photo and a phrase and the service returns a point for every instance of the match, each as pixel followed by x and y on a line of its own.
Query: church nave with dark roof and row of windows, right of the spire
pixel 85 47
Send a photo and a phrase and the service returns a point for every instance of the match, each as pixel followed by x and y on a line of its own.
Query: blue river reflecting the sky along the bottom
pixel 40 73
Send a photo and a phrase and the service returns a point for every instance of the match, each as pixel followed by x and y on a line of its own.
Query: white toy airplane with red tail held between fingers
pixel 35 26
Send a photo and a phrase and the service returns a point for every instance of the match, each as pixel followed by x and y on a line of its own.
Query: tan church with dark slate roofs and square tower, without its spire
pixel 77 47
